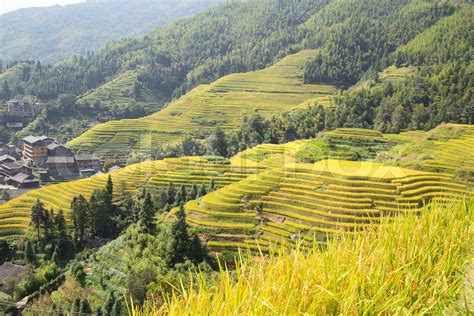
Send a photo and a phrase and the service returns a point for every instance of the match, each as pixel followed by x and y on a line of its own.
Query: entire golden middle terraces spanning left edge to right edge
pixel 340 181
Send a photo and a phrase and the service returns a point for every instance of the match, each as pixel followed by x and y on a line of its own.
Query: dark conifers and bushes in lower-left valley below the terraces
pixel 169 251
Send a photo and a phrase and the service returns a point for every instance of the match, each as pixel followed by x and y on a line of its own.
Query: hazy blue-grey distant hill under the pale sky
pixel 54 33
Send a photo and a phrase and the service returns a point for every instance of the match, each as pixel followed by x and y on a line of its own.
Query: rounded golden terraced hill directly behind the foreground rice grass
pixel 307 199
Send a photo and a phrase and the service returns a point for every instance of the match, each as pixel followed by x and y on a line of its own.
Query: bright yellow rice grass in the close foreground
pixel 413 265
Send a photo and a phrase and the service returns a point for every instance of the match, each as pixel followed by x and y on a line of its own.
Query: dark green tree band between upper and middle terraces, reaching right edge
pixel 422 101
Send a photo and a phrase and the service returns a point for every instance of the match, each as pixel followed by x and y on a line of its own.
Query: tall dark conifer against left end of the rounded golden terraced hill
pixel 179 239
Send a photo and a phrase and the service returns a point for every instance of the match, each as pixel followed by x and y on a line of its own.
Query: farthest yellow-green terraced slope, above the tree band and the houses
pixel 223 103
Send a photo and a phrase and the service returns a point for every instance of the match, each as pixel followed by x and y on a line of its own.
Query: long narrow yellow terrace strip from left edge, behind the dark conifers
pixel 15 215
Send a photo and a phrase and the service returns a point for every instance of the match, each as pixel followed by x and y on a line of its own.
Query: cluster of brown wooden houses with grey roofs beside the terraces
pixel 43 158
